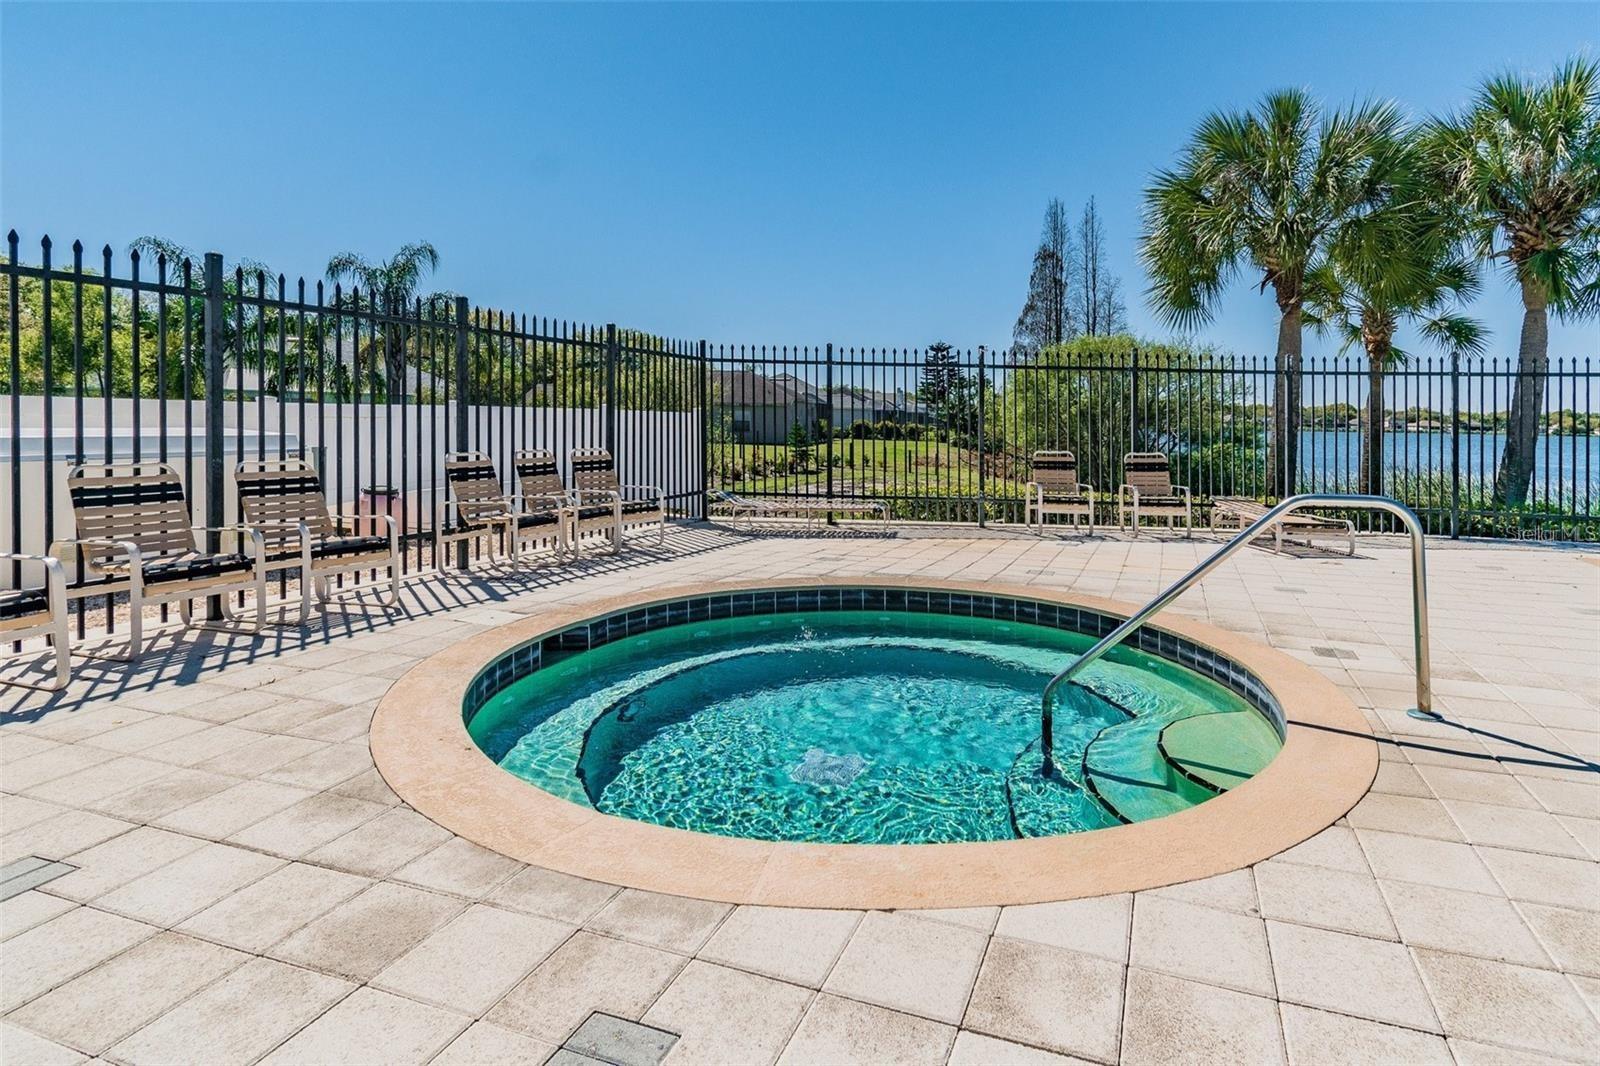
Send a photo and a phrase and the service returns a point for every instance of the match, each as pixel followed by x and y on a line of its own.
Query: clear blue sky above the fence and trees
pixel 794 175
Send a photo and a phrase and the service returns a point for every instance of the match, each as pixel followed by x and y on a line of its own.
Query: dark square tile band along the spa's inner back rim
pixel 596 633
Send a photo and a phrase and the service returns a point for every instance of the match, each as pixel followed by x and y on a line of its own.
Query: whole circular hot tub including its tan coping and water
pixel 870 745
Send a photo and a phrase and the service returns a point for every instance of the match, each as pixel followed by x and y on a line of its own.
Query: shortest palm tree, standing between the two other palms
pixel 1402 263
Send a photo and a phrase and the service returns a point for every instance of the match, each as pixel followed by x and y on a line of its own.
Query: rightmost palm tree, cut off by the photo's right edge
pixel 1524 166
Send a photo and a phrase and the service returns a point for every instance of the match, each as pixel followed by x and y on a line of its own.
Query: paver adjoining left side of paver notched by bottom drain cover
pixel 473 961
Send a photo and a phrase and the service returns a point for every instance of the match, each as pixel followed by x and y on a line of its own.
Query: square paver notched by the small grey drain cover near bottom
pixel 585 976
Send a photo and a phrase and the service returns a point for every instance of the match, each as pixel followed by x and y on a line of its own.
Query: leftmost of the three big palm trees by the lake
pixel 1263 191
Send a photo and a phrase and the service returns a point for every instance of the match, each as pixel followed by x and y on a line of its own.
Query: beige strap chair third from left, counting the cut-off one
pixel 284 500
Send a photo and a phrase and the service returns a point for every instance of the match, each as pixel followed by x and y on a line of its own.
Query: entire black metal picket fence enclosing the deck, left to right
pixel 118 358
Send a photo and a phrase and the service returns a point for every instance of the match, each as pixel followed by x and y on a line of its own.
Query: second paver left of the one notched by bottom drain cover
pixel 362 936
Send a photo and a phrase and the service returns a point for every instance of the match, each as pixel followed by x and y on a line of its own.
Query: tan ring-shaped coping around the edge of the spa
pixel 423 750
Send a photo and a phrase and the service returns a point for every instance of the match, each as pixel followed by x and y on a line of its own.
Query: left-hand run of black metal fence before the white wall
pixel 118 359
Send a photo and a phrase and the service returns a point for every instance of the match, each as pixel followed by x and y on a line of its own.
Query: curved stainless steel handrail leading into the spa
pixel 1425 695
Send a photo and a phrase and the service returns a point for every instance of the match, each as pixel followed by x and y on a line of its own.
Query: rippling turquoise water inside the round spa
pixel 852 727
